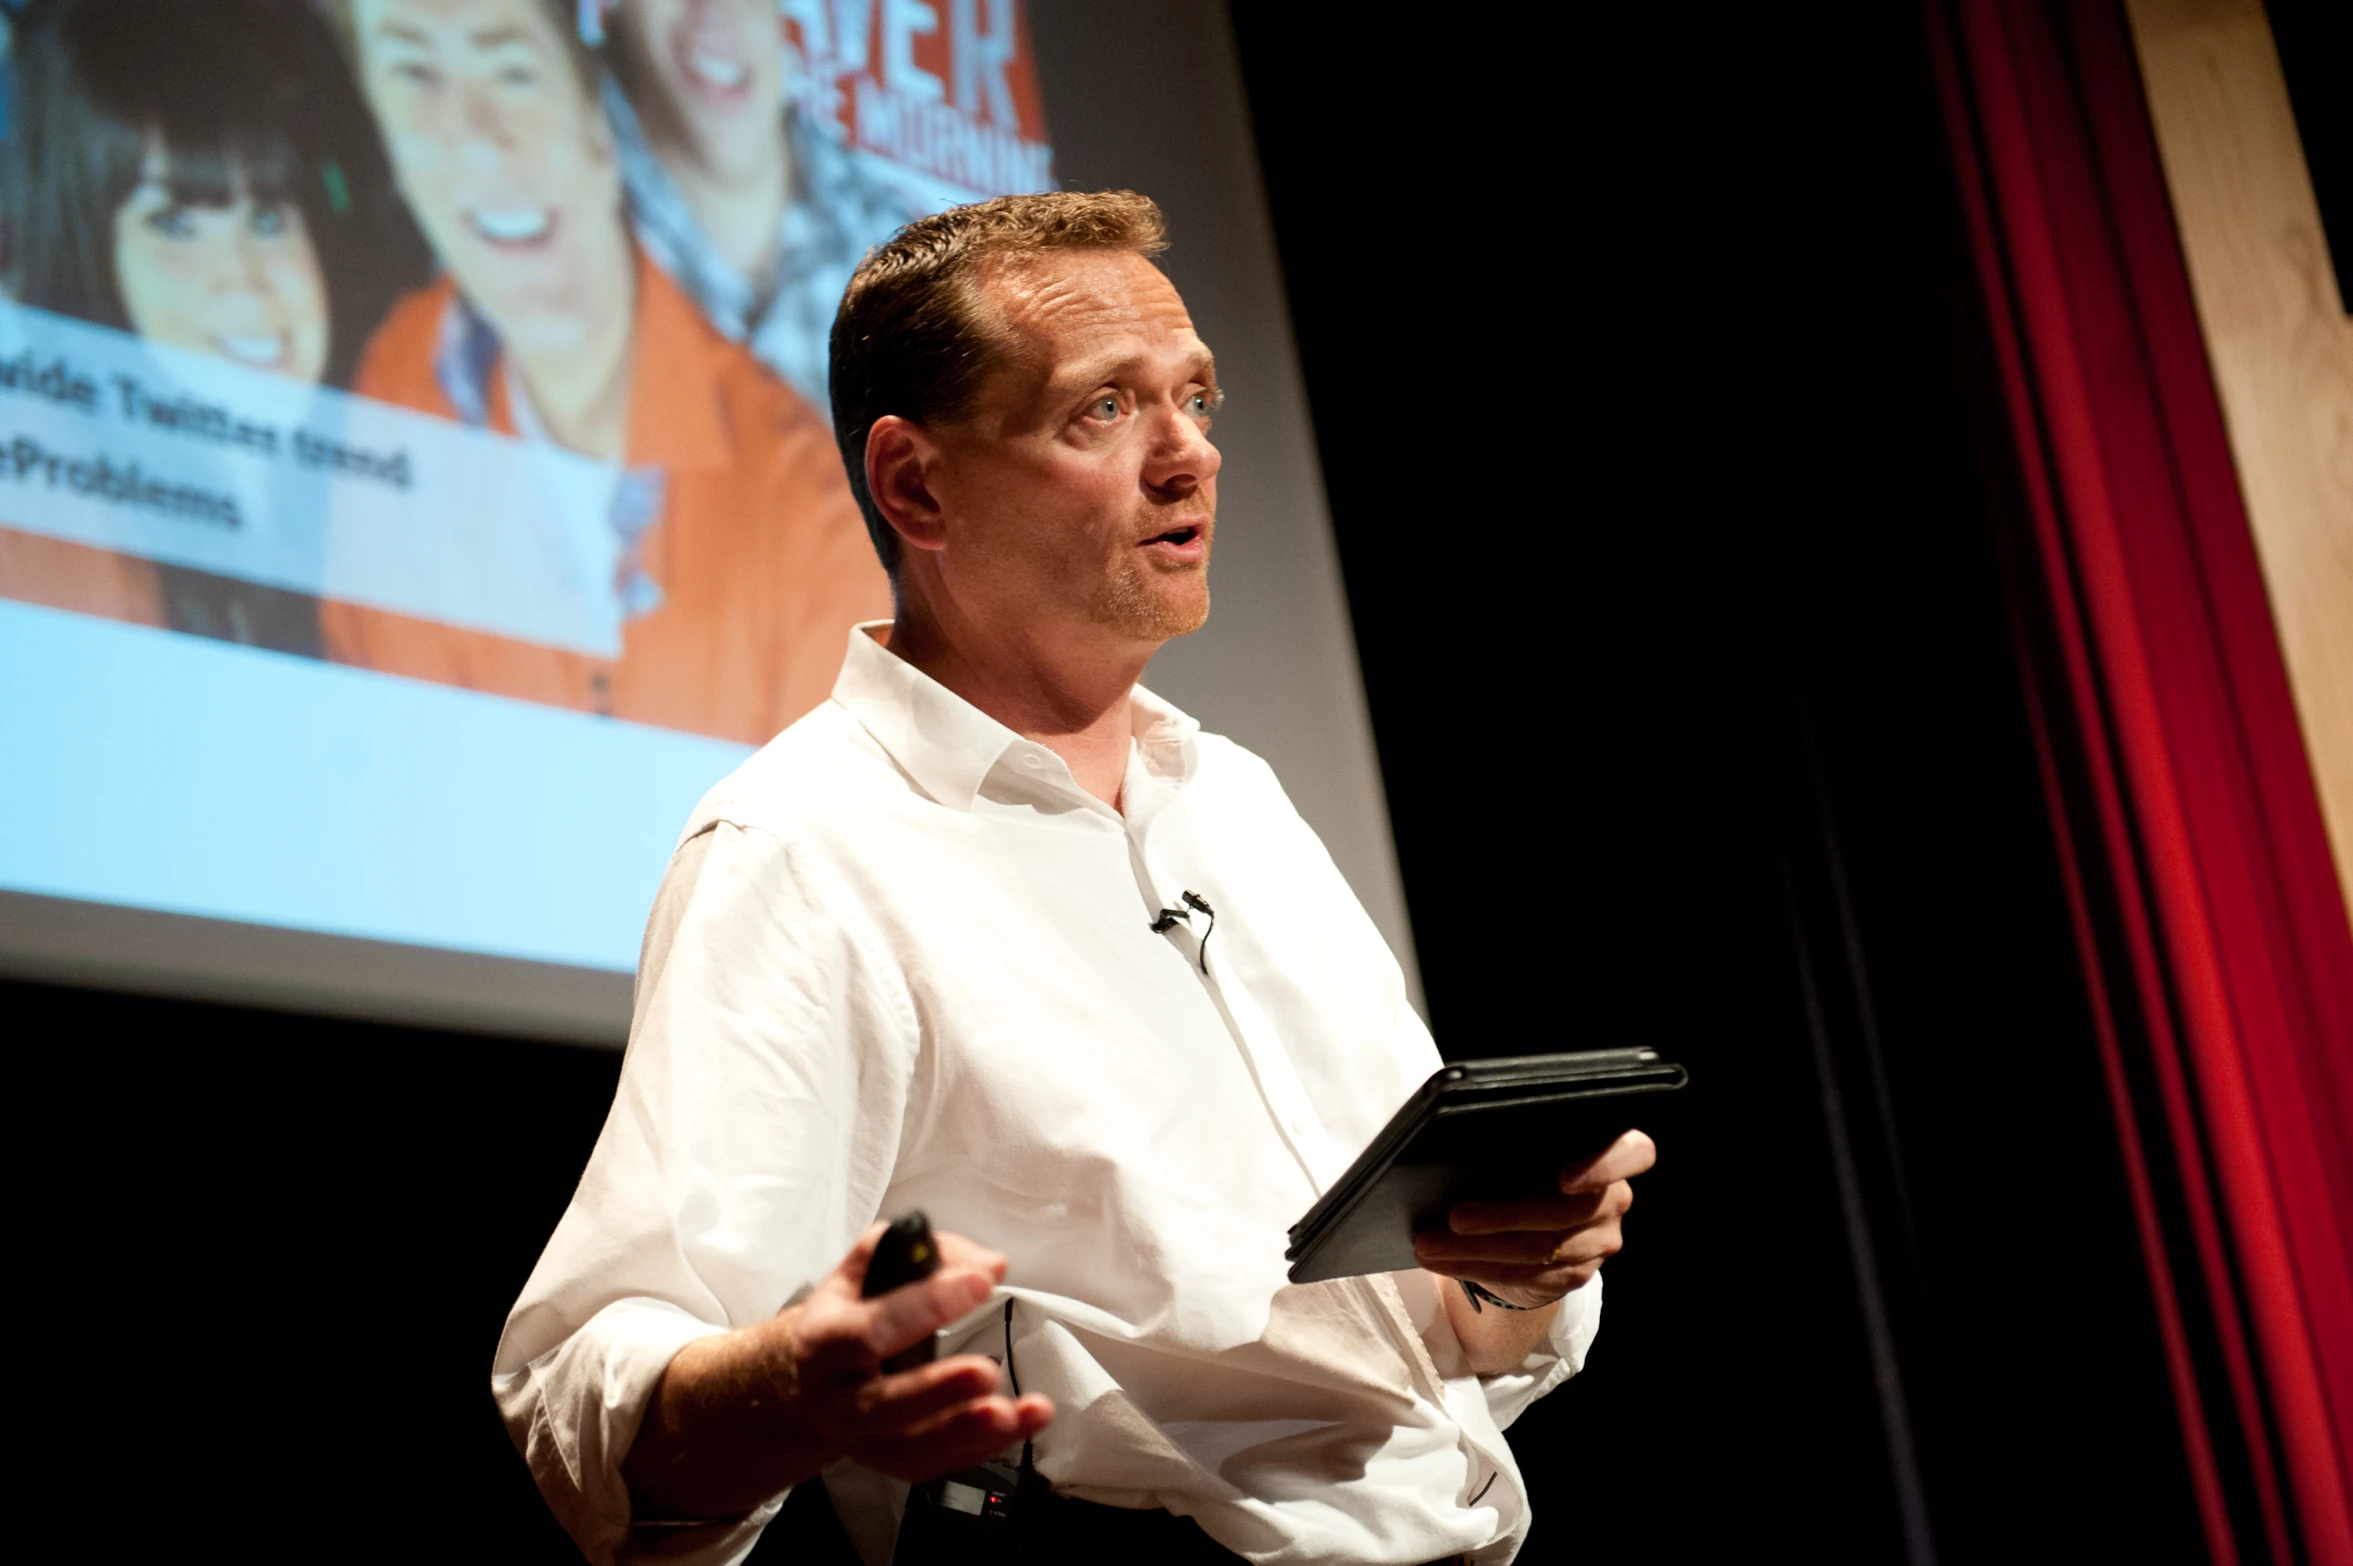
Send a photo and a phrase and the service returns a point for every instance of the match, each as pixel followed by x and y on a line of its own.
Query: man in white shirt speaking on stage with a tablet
pixel 949 946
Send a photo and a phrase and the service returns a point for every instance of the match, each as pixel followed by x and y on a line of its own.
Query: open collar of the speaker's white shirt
pixel 949 747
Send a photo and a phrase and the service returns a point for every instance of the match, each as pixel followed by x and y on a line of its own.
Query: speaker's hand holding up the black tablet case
pixel 1533 1252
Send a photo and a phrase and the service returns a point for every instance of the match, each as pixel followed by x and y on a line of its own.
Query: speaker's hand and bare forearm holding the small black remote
pixel 754 1412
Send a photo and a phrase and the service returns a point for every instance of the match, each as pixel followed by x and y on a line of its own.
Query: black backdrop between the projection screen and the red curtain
pixel 1644 394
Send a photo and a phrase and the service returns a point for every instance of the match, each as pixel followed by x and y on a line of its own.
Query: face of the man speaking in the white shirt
pixel 1081 490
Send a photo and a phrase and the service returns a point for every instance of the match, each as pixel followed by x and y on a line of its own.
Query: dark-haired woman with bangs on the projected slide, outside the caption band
pixel 194 173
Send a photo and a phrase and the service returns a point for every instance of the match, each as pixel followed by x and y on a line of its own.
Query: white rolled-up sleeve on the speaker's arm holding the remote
pixel 749 1144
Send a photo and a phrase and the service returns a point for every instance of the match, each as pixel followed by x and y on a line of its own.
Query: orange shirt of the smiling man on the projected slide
pixel 759 551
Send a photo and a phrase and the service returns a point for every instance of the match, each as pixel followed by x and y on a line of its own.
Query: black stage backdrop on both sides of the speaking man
pixel 1646 424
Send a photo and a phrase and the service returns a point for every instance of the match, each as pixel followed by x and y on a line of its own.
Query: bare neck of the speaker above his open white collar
pixel 1069 700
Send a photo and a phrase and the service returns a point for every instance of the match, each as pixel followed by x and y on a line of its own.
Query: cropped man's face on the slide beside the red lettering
pixel 709 79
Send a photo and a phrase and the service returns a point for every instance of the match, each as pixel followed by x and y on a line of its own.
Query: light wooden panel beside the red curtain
pixel 2279 340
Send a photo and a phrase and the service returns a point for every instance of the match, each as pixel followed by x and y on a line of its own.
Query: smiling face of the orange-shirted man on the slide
pixel 502 159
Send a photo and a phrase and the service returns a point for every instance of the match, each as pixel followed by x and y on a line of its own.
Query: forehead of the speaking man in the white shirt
pixel 1074 307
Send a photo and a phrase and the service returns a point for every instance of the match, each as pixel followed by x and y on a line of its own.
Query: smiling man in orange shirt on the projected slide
pixel 740 551
